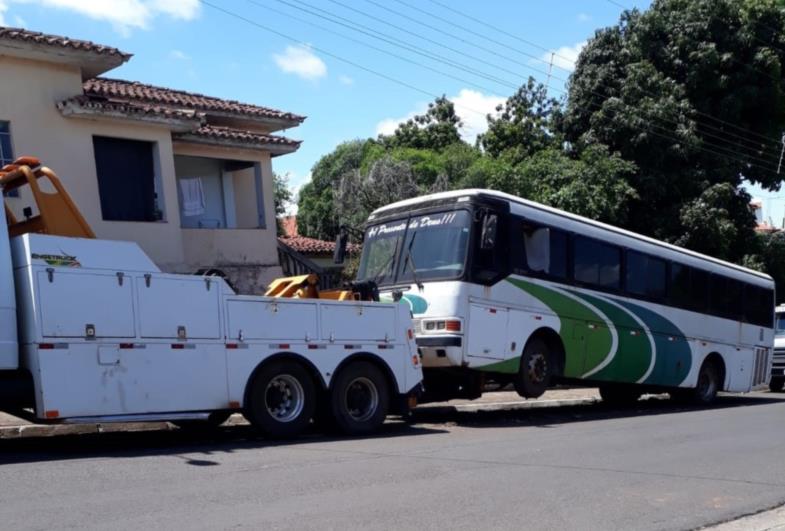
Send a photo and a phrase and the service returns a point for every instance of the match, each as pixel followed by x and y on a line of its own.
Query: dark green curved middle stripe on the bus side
pixel 633 350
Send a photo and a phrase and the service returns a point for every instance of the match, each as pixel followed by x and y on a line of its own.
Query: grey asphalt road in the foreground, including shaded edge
pixel 655 466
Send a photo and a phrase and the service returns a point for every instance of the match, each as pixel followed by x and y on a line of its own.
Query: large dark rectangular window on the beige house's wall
pixel 126 179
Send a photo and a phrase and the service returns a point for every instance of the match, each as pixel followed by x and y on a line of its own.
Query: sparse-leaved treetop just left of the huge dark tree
pixel 524 125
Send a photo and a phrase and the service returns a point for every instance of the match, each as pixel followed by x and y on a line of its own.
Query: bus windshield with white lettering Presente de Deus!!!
pixel 429 247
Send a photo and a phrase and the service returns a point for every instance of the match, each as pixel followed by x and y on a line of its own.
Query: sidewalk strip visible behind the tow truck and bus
pixel 12 427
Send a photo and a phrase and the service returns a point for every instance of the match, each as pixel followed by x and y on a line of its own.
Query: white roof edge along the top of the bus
pixel 413 202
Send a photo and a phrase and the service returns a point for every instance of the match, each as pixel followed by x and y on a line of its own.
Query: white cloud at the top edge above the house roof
pixel 124 15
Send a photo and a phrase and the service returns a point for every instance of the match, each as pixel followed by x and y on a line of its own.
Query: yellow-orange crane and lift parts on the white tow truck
pixel 56 214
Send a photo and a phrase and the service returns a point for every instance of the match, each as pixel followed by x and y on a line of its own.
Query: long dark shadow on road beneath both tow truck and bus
pixel 196 449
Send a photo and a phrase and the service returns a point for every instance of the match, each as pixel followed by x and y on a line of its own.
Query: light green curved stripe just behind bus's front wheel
pixel 571 314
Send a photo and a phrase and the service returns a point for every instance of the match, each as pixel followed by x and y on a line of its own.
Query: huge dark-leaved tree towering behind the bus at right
pixel 669 89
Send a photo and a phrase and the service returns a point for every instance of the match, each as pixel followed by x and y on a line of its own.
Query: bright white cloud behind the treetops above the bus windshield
pixel 471 106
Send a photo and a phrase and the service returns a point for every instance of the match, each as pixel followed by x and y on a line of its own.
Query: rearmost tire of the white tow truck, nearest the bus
pixel 359 398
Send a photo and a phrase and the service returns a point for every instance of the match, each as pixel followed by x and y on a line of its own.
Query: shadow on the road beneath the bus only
pixel 554 416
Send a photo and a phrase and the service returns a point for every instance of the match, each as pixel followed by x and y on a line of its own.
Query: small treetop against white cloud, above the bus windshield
pixel 438 128
